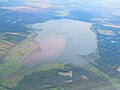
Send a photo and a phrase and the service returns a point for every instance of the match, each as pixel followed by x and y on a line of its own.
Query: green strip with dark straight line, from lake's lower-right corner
pixel 99 70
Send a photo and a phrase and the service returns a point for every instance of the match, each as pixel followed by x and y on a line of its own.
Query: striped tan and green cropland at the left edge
pixel 8 40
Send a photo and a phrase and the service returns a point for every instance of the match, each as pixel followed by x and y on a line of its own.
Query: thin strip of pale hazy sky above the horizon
pixel 102 2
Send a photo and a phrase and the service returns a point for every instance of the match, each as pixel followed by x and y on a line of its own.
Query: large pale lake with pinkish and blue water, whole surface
pixel 62 41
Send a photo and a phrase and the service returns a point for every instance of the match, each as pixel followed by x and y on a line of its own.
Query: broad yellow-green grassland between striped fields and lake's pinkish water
pixel 14 56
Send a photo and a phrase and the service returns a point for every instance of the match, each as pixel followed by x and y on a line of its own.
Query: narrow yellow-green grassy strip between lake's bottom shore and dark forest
pixel 12 81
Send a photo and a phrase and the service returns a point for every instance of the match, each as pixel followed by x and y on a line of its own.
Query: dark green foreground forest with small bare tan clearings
pixel 68 78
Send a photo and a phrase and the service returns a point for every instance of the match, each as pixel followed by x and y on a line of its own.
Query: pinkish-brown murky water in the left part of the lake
pixel 50 46
